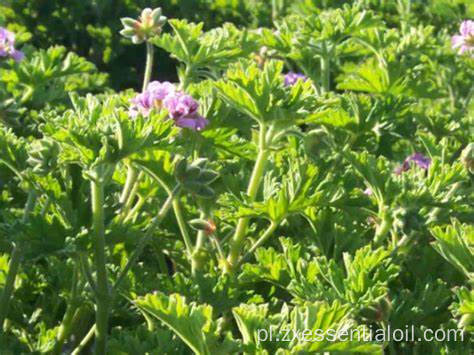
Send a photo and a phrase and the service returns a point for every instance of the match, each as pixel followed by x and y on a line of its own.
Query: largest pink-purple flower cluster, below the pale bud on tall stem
pixel 183 109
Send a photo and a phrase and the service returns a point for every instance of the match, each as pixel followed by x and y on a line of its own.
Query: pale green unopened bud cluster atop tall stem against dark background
pixel 149 25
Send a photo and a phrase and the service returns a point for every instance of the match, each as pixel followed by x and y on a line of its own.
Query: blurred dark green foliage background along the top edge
pixel 89 27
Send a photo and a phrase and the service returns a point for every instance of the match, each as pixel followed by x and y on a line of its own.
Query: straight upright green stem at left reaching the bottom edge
pixel 102 297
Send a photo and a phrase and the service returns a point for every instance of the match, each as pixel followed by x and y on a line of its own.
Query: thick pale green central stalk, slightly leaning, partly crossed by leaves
pixel 254 184
